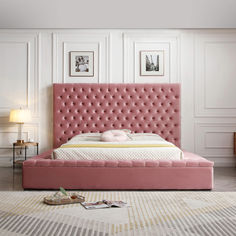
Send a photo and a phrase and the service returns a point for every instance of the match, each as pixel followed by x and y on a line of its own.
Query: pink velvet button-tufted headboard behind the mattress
pixel 83 108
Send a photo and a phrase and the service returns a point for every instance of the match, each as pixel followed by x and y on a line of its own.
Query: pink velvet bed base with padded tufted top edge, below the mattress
pixel 194 172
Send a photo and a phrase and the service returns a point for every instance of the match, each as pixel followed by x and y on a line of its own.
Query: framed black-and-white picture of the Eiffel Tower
pixel 151 63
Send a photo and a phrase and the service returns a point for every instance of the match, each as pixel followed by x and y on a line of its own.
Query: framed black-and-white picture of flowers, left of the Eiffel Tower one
pixel 82 64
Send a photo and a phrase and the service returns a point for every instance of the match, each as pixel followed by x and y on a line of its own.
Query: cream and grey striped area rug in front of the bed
pixel 150 213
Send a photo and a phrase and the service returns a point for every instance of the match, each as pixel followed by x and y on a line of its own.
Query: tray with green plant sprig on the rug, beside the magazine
pixel 62 197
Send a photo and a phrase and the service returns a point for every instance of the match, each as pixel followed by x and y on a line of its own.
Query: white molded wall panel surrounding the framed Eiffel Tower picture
pixel 135 42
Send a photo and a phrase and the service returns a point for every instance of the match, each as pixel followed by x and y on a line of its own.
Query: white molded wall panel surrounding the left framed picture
pixel 98 42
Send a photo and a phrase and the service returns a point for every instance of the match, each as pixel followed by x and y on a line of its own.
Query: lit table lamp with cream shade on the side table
pixel 20 116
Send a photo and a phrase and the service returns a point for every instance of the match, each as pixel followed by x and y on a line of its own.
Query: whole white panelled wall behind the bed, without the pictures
pixel 203 61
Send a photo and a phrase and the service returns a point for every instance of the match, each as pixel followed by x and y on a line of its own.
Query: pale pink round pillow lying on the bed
pixel 114 136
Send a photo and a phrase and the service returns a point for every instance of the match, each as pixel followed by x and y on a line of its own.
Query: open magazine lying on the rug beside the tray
pixel 103 204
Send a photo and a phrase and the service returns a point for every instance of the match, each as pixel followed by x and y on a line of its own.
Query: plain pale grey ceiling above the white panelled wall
pixel 118 14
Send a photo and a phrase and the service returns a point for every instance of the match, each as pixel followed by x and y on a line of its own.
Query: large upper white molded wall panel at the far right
pixel 214 73
